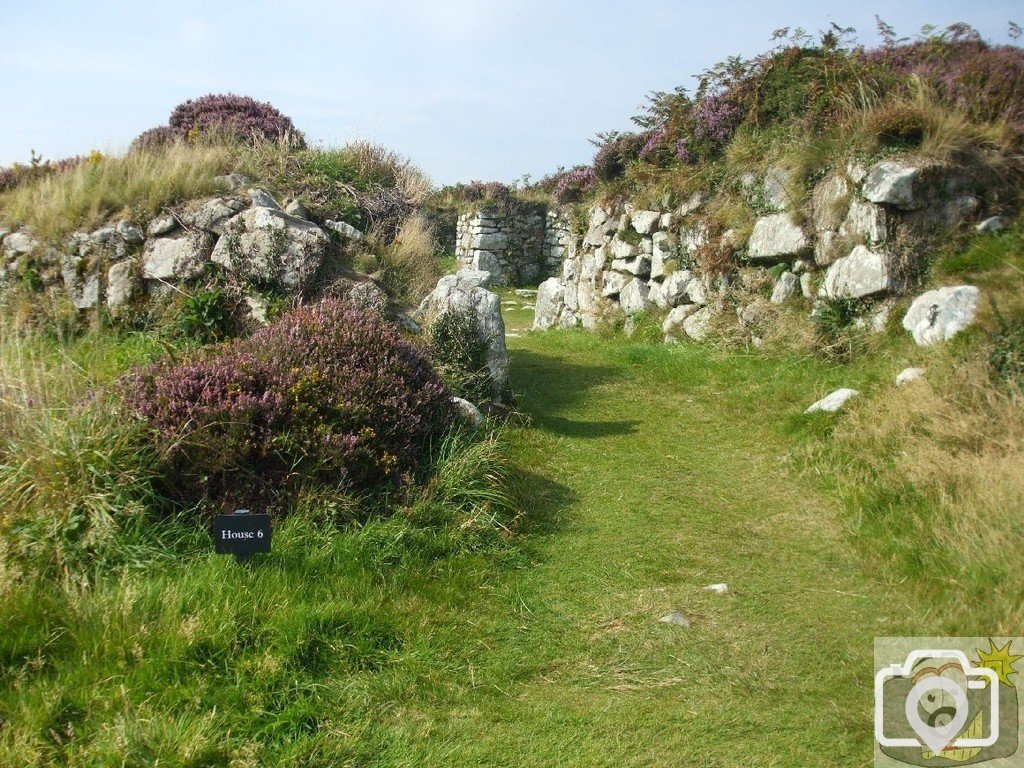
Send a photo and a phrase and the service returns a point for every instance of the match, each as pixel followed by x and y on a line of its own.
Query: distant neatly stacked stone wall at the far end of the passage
pixel 518 247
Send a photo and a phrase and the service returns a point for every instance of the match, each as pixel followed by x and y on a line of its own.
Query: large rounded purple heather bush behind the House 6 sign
pixel 328 394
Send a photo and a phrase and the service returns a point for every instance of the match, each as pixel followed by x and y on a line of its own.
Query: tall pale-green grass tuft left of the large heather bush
pixel 75 479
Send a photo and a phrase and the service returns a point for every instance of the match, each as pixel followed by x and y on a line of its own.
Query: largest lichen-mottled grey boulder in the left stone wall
pixel 269 246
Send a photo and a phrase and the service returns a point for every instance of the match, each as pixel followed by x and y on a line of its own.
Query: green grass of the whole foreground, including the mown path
pixel 650 473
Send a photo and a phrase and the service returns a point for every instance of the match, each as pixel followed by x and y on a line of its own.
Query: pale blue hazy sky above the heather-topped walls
pixel 468 90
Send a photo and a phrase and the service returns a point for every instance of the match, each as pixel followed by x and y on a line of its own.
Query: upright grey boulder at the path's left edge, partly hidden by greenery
pixel 455 293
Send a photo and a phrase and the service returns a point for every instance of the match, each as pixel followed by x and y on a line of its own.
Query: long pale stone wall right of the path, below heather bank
pixel 863 236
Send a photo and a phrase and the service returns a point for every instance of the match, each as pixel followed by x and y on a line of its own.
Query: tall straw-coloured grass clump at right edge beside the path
pixel 932 472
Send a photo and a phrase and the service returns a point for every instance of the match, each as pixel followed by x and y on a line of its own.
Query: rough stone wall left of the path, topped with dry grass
pixel 242 240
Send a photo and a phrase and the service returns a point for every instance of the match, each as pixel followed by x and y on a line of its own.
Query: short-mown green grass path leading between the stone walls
pixel 669 472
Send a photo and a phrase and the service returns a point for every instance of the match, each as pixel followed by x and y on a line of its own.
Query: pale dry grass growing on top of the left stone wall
pixel 138 185
